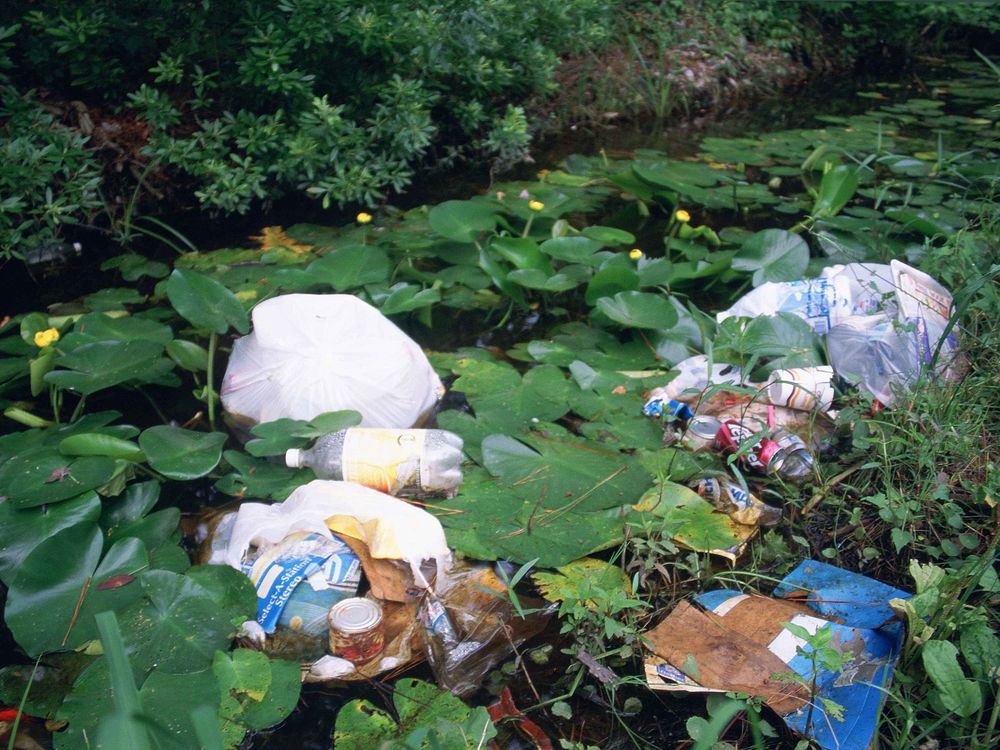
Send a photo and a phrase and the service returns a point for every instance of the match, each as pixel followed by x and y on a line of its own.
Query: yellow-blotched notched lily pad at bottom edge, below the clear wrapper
pixel 420 706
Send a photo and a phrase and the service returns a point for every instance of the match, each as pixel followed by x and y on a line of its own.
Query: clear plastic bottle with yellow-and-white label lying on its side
pixel 397 462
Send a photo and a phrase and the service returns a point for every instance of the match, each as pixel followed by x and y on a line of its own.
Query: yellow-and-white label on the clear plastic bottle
pixel 385 460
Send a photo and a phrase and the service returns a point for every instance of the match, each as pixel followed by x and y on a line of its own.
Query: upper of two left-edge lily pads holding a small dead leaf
pixel 43 475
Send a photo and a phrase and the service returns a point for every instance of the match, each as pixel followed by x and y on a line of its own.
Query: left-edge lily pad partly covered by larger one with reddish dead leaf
pixel 23 530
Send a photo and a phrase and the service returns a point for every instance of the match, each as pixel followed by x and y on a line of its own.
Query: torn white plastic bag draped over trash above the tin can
pixel 391 528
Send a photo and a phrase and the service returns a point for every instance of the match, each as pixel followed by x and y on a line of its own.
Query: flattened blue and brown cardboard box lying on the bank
pixel 732 641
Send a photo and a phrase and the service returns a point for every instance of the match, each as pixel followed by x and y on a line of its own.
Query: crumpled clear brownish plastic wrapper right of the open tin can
pixel 472 625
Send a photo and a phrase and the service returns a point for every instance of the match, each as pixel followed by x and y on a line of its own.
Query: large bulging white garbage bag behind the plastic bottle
pixel 313 353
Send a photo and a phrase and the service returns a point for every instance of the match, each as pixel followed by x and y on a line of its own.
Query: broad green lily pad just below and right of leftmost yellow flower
pixel 97 365
